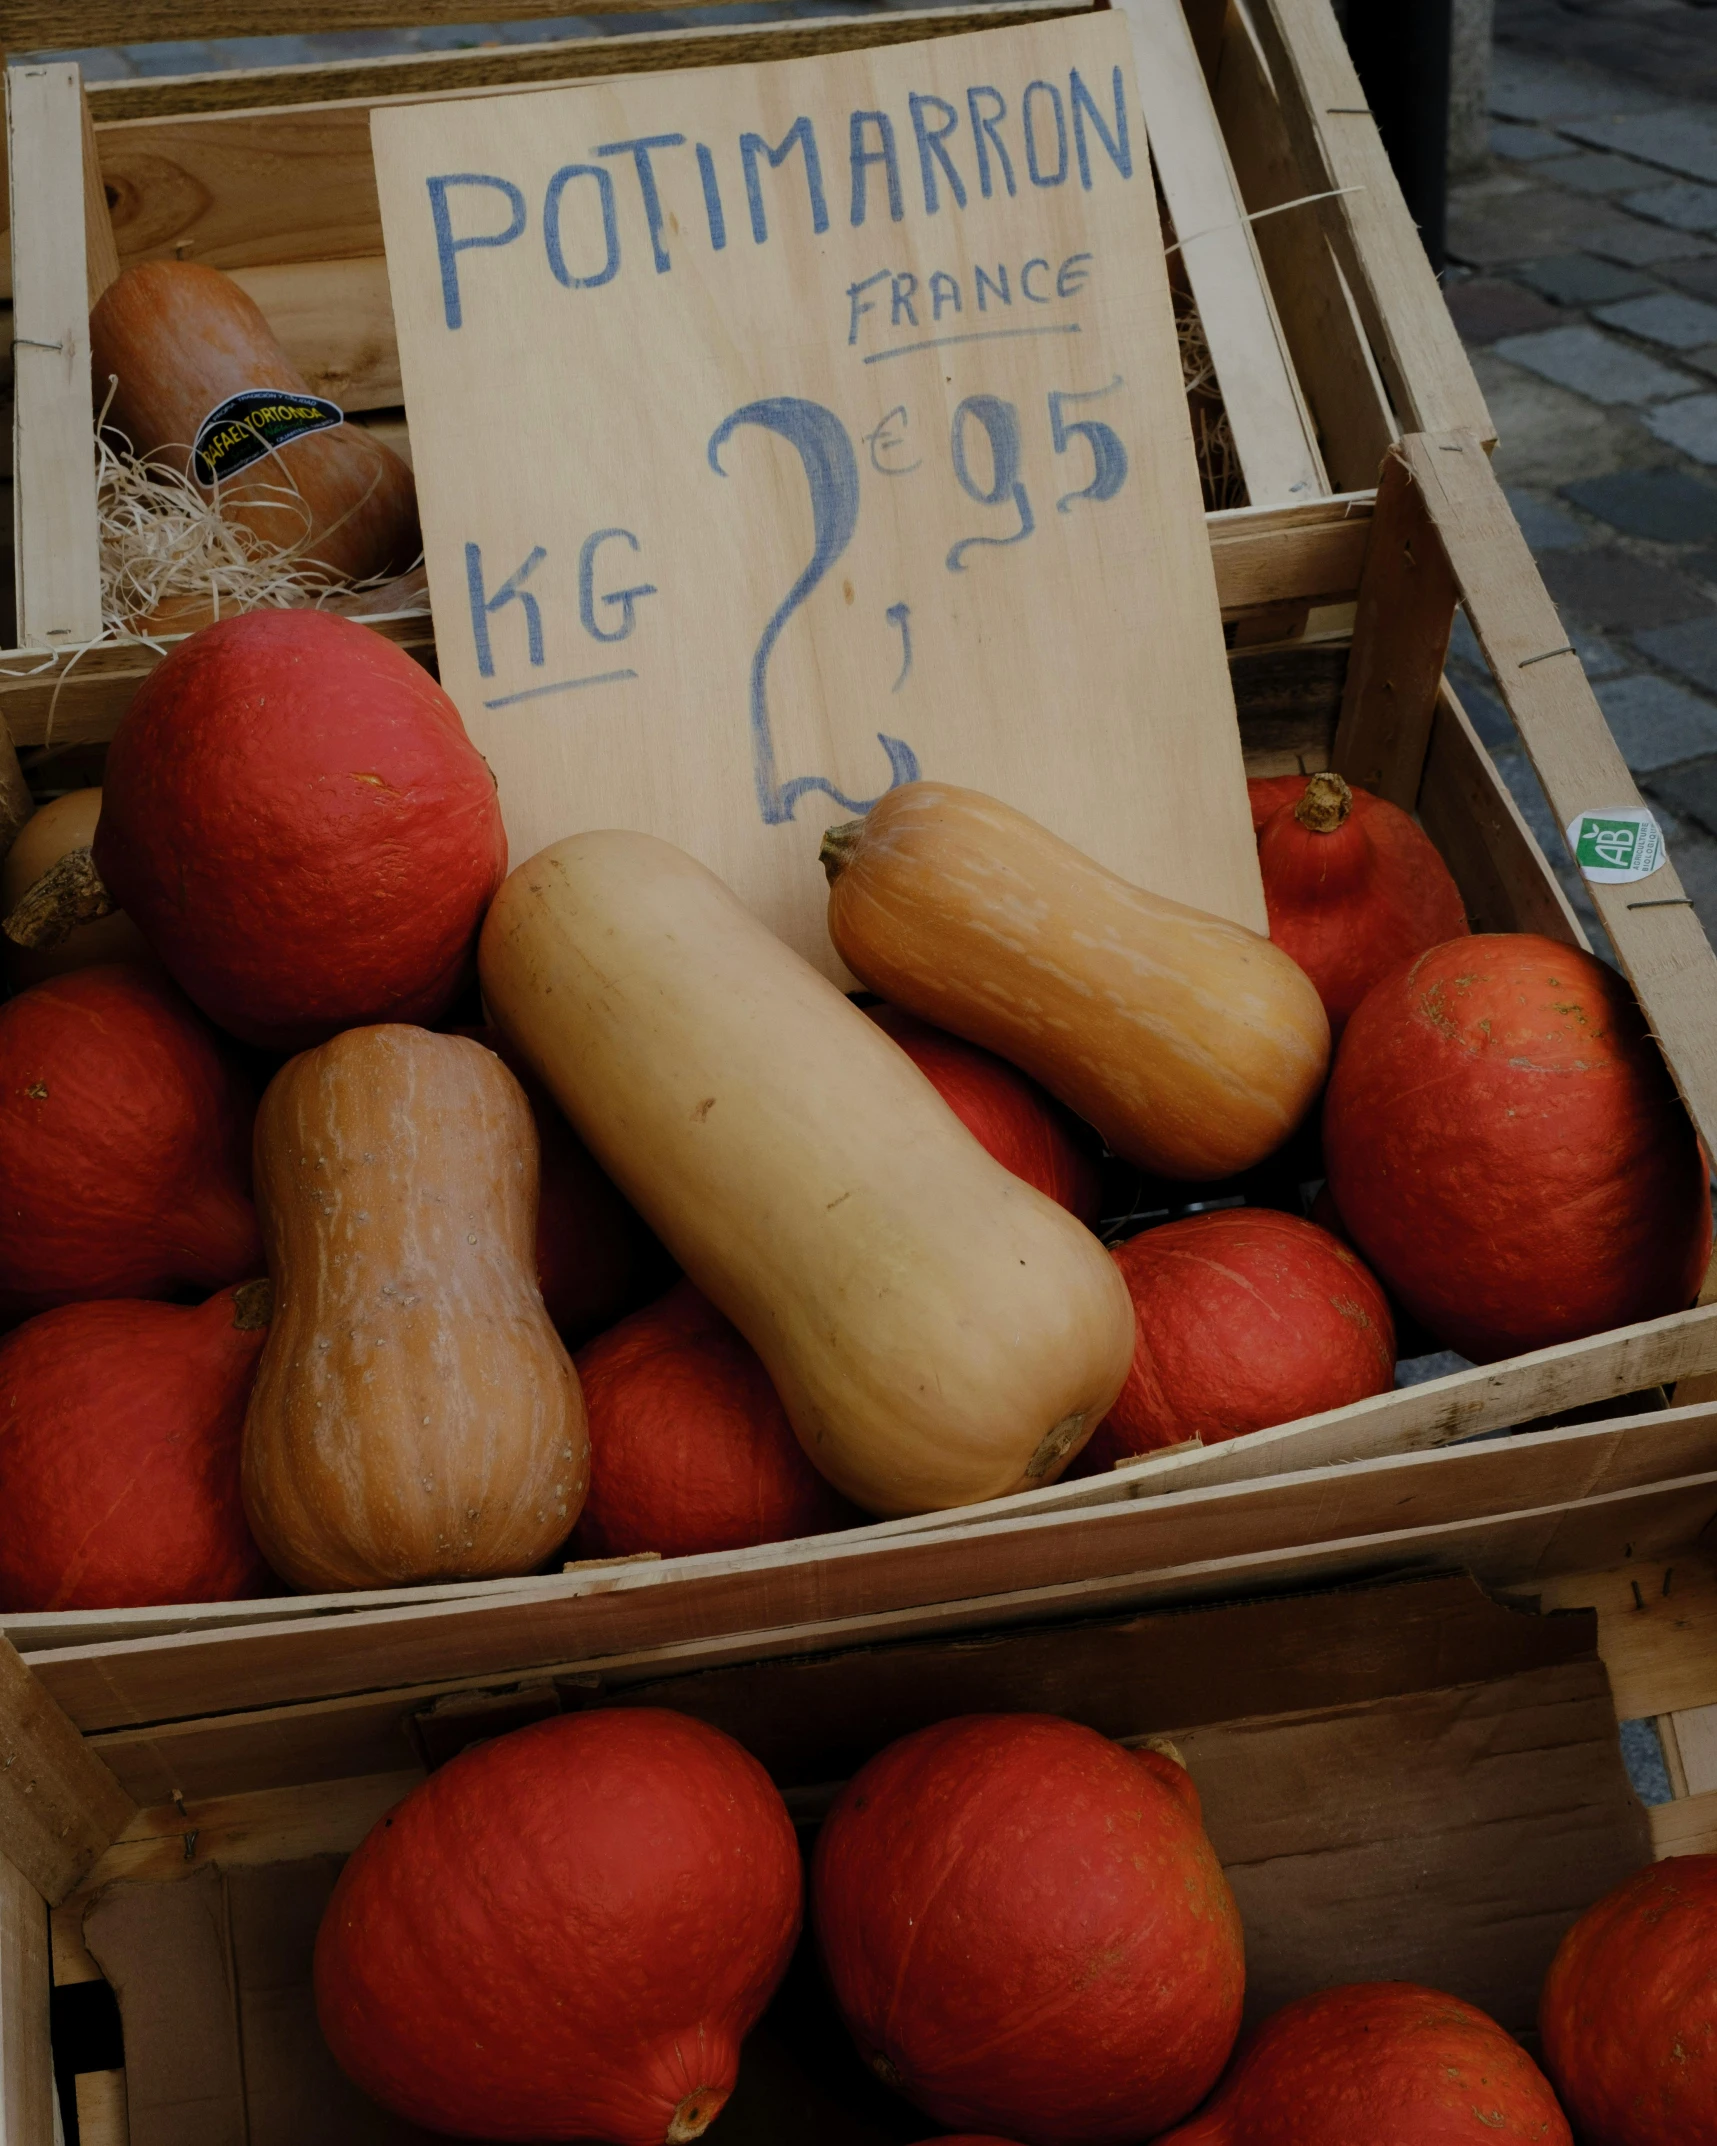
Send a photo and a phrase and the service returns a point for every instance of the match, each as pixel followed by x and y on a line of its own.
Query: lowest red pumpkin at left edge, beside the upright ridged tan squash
pixel 119 1456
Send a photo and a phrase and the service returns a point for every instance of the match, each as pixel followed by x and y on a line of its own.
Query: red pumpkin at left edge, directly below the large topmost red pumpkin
pixel 123 1145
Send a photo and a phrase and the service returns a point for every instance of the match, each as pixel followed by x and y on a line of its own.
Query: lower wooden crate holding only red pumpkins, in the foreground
pixel 1407 1780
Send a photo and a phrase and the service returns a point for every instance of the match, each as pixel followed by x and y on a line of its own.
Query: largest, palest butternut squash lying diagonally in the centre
pixel 937 1329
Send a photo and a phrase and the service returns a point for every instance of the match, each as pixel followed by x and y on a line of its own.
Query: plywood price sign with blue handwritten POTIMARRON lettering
pixel 791 430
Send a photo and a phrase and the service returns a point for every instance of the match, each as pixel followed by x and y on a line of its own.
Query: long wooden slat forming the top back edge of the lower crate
pixel 1010 1570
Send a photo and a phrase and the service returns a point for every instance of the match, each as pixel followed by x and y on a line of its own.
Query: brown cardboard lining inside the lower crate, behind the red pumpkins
pixel 1409 1780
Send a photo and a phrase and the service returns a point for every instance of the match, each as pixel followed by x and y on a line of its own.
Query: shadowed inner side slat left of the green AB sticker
pixel 1471 817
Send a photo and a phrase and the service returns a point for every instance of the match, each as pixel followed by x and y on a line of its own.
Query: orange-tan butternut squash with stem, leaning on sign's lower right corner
pixel 1188 1042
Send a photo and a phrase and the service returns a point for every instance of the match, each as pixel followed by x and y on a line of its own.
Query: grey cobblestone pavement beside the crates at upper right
pixel 1585 284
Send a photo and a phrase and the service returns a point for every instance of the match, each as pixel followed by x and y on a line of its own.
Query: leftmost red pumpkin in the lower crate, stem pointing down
pixel 566 1932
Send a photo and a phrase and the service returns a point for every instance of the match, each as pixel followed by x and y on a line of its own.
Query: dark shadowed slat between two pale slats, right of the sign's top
pixel 1325 336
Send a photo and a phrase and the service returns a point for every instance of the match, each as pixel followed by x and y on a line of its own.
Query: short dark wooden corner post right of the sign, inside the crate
pixel 1407 611
